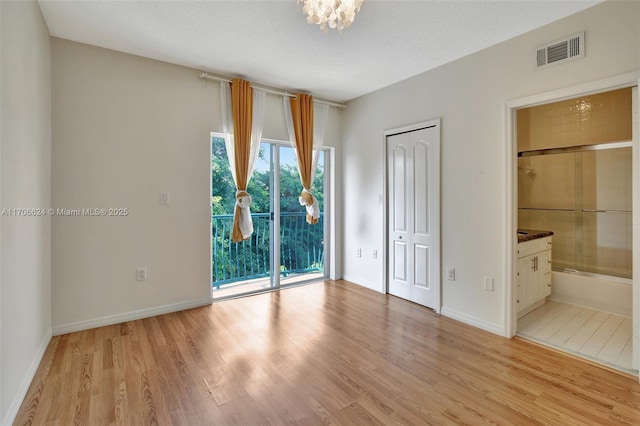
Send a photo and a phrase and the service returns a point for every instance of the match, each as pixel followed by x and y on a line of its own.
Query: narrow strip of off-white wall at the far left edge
pixel 25 152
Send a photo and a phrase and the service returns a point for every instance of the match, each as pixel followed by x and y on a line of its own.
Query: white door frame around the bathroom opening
pixel 511 193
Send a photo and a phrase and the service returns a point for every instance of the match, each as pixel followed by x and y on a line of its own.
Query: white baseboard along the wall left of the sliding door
pixel 128 316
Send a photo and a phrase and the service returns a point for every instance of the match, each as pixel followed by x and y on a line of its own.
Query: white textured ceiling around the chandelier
pixel 269 42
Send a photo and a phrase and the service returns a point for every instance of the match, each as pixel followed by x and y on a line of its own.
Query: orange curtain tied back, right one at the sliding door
pixel 302 117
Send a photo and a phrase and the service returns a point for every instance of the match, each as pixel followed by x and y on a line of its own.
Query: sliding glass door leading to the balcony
pixel 283 249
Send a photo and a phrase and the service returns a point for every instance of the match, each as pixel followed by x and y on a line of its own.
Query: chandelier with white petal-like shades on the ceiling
pixel 331 13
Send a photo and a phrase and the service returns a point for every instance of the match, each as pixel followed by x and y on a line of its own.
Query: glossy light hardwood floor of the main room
pixel 325 353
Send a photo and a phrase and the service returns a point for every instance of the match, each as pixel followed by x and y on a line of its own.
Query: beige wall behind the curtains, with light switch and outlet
pixel 126 129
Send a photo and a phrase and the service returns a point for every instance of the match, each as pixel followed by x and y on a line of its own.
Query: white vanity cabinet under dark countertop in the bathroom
pixel 533 274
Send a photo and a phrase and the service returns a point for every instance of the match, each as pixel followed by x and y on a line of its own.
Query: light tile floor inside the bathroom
pixel 599 336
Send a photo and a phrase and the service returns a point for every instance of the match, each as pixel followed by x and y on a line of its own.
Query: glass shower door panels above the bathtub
pixel 585 198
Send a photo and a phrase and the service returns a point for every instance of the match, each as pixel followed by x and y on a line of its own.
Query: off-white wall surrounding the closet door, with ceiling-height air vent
pixel 470 95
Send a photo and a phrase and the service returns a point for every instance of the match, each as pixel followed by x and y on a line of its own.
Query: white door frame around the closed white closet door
pixel 384 198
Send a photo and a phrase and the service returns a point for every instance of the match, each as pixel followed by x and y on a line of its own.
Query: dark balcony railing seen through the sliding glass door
pixel 301 248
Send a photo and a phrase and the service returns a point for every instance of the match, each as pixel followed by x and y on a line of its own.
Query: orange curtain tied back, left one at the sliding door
pixel 242 109
